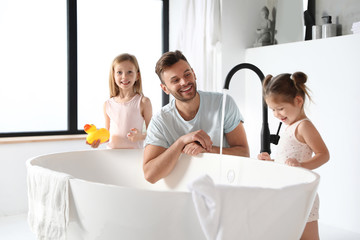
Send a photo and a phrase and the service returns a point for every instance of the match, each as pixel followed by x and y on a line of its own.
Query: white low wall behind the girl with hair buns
pixel 332 67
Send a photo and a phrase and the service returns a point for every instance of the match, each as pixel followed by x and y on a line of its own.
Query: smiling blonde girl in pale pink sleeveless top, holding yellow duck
pixel 127 109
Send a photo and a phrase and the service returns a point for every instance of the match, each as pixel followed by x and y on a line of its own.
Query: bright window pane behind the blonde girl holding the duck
pixel 106 30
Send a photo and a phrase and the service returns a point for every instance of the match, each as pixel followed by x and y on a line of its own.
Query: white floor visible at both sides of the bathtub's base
pixel 16 228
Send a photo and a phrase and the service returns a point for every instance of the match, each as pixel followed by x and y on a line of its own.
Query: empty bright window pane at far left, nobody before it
pixel 33 74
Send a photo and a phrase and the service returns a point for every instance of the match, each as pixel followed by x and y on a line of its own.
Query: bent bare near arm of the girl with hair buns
pixel 308 134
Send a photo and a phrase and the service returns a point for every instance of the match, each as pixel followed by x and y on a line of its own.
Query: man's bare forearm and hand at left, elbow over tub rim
pixel 159 161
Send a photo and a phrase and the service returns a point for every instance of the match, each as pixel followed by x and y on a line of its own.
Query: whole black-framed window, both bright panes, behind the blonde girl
pixel 35 95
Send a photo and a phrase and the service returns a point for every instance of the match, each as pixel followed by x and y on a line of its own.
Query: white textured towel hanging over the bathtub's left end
pixel 48 199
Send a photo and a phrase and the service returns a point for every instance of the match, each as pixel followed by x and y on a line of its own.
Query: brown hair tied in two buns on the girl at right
pixel 286 86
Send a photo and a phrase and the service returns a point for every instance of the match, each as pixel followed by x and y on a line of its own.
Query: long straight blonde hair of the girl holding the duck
pixel 114 88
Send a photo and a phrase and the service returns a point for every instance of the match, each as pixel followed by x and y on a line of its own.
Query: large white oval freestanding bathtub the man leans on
pixel 110 199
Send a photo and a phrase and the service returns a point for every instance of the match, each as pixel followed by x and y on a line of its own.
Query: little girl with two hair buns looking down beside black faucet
pixel 300 144
